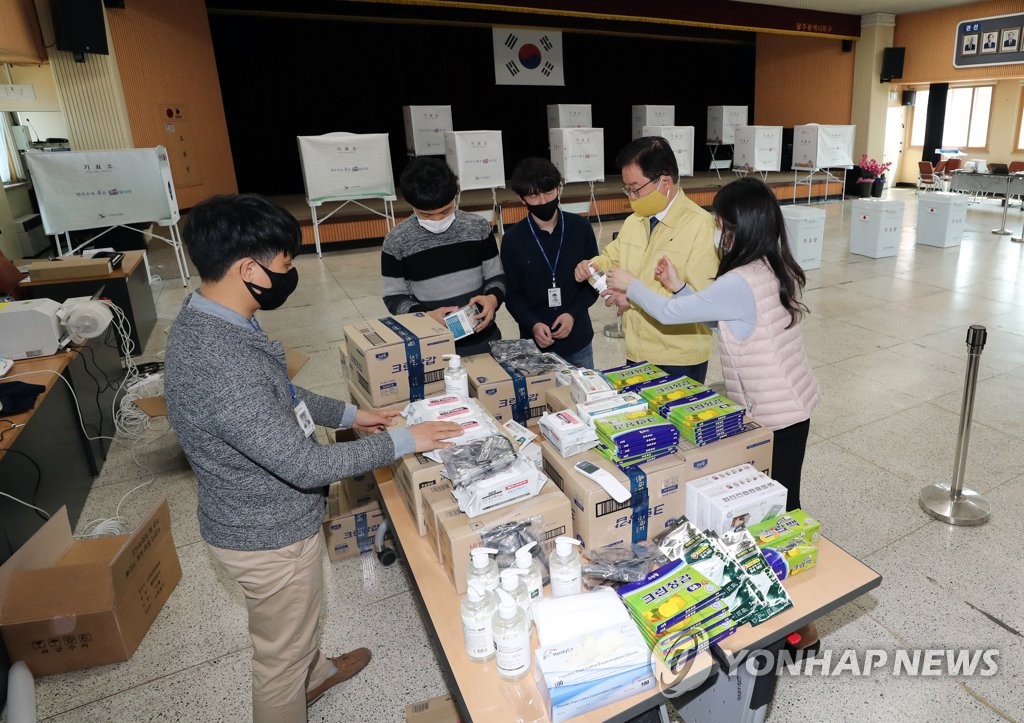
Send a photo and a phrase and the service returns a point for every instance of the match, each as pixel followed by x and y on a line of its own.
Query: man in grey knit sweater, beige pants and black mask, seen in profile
pixel 247 433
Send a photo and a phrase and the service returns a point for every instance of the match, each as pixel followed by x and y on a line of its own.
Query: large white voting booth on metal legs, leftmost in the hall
pixel 107 190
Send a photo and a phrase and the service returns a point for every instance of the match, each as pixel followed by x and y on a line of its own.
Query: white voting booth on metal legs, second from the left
pixel 347 168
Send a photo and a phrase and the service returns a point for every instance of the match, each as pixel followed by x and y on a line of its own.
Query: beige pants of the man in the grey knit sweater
pixel 284 590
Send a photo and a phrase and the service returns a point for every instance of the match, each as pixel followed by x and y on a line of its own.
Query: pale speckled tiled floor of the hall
pixel 887 341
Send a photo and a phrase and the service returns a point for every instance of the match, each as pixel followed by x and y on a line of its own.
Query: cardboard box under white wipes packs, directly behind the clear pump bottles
pixel 459 534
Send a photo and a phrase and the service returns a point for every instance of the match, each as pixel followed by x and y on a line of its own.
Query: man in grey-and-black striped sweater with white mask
pixel 442 259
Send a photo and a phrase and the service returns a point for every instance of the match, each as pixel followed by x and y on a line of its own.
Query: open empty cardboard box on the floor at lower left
pixel 67 605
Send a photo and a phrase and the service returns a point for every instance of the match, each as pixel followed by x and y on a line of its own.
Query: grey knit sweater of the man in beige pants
pixel 230 402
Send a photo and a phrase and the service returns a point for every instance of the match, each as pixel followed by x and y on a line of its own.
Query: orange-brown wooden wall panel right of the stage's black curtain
pixel 802 80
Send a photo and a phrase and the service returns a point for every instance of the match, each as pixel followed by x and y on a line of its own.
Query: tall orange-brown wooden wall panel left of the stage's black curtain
pixel 167 65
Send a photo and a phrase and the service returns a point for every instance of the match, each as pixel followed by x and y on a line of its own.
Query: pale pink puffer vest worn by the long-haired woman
pixel 769 372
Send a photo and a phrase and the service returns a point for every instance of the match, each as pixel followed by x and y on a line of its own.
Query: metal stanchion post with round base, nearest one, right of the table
pixel 952 503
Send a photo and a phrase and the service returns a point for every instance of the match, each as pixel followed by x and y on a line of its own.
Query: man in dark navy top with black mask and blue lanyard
pixel 539 256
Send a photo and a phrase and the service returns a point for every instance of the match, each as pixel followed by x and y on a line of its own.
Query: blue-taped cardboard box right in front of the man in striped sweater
pixel 377 355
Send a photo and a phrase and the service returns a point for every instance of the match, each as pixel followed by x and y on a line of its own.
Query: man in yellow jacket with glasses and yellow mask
pixel 664 223
